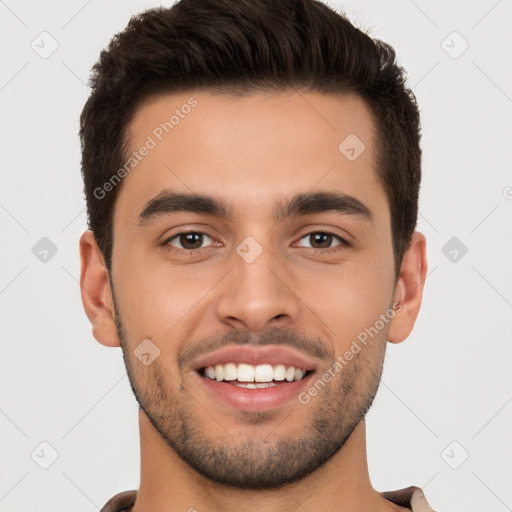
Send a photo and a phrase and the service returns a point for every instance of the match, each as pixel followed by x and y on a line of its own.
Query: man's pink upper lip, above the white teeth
pixel 268 354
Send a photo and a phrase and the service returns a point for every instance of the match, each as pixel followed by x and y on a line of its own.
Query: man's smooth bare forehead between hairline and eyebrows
pixel 251 150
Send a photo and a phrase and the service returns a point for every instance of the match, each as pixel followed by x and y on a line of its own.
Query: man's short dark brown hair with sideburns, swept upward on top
pixel 238 47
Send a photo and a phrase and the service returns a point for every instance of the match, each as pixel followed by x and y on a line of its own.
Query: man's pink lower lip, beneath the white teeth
pixel 254 399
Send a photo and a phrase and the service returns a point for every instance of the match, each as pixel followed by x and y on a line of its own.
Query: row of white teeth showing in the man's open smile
pixel 262 374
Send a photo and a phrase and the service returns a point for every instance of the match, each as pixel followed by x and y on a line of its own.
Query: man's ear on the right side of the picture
pixel 409 289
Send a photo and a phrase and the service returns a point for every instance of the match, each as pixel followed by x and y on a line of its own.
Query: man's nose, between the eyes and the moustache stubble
pixel 258 294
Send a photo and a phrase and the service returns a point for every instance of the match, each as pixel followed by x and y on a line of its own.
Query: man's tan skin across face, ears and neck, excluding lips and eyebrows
pixel 253 151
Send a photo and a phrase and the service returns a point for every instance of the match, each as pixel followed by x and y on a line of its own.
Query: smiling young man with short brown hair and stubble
pixel 252 172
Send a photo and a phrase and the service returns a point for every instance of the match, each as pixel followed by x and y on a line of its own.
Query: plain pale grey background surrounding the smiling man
pixel 446 392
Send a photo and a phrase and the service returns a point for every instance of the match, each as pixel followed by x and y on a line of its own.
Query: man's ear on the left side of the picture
pixel 96 292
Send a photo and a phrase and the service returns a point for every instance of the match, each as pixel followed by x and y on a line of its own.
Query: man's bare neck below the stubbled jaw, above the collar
pixel 341 484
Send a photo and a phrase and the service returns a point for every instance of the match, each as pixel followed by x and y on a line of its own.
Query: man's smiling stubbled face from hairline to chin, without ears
pixel 285 259
